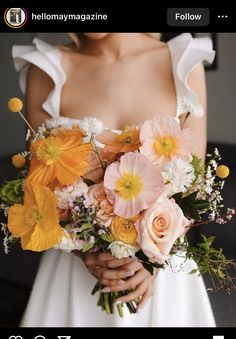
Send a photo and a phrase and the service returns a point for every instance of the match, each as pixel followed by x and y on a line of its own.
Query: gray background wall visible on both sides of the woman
pixel 221 90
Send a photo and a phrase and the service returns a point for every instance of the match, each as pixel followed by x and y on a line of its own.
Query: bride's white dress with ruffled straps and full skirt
pixel 61 295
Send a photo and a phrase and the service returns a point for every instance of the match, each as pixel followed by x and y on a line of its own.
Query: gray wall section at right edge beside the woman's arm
pixel 222 92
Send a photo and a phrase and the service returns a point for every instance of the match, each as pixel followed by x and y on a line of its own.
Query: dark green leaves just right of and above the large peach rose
pixel 190 206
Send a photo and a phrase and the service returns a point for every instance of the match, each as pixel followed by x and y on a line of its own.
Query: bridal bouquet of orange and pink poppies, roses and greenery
pixel 154 189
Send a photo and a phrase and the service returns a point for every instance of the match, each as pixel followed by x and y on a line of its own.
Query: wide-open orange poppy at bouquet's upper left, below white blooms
pixel 60 158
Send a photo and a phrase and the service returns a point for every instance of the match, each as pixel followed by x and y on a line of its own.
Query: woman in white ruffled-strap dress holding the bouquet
pixel 119 78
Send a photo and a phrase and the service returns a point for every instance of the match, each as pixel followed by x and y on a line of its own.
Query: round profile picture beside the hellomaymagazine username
pixel 15 17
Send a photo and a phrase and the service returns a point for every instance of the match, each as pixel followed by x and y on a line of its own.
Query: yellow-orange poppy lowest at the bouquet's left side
pixel 36 222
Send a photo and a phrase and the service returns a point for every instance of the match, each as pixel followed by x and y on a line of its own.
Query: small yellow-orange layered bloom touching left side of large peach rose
pixel 123 229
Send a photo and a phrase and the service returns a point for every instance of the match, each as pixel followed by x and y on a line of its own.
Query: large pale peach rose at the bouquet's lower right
pixel 158 229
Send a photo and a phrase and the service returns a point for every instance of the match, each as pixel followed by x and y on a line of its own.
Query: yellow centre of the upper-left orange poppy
pixel 50 150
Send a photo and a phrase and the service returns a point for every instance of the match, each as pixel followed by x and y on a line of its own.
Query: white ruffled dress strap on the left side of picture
pixel 48 59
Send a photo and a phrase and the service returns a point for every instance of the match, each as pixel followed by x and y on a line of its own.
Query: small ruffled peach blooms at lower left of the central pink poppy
pixel 99 199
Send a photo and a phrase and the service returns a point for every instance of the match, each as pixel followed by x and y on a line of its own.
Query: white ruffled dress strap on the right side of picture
pixel 186 54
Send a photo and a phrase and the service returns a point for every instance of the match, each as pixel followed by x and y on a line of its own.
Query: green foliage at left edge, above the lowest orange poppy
pixel 12 192
